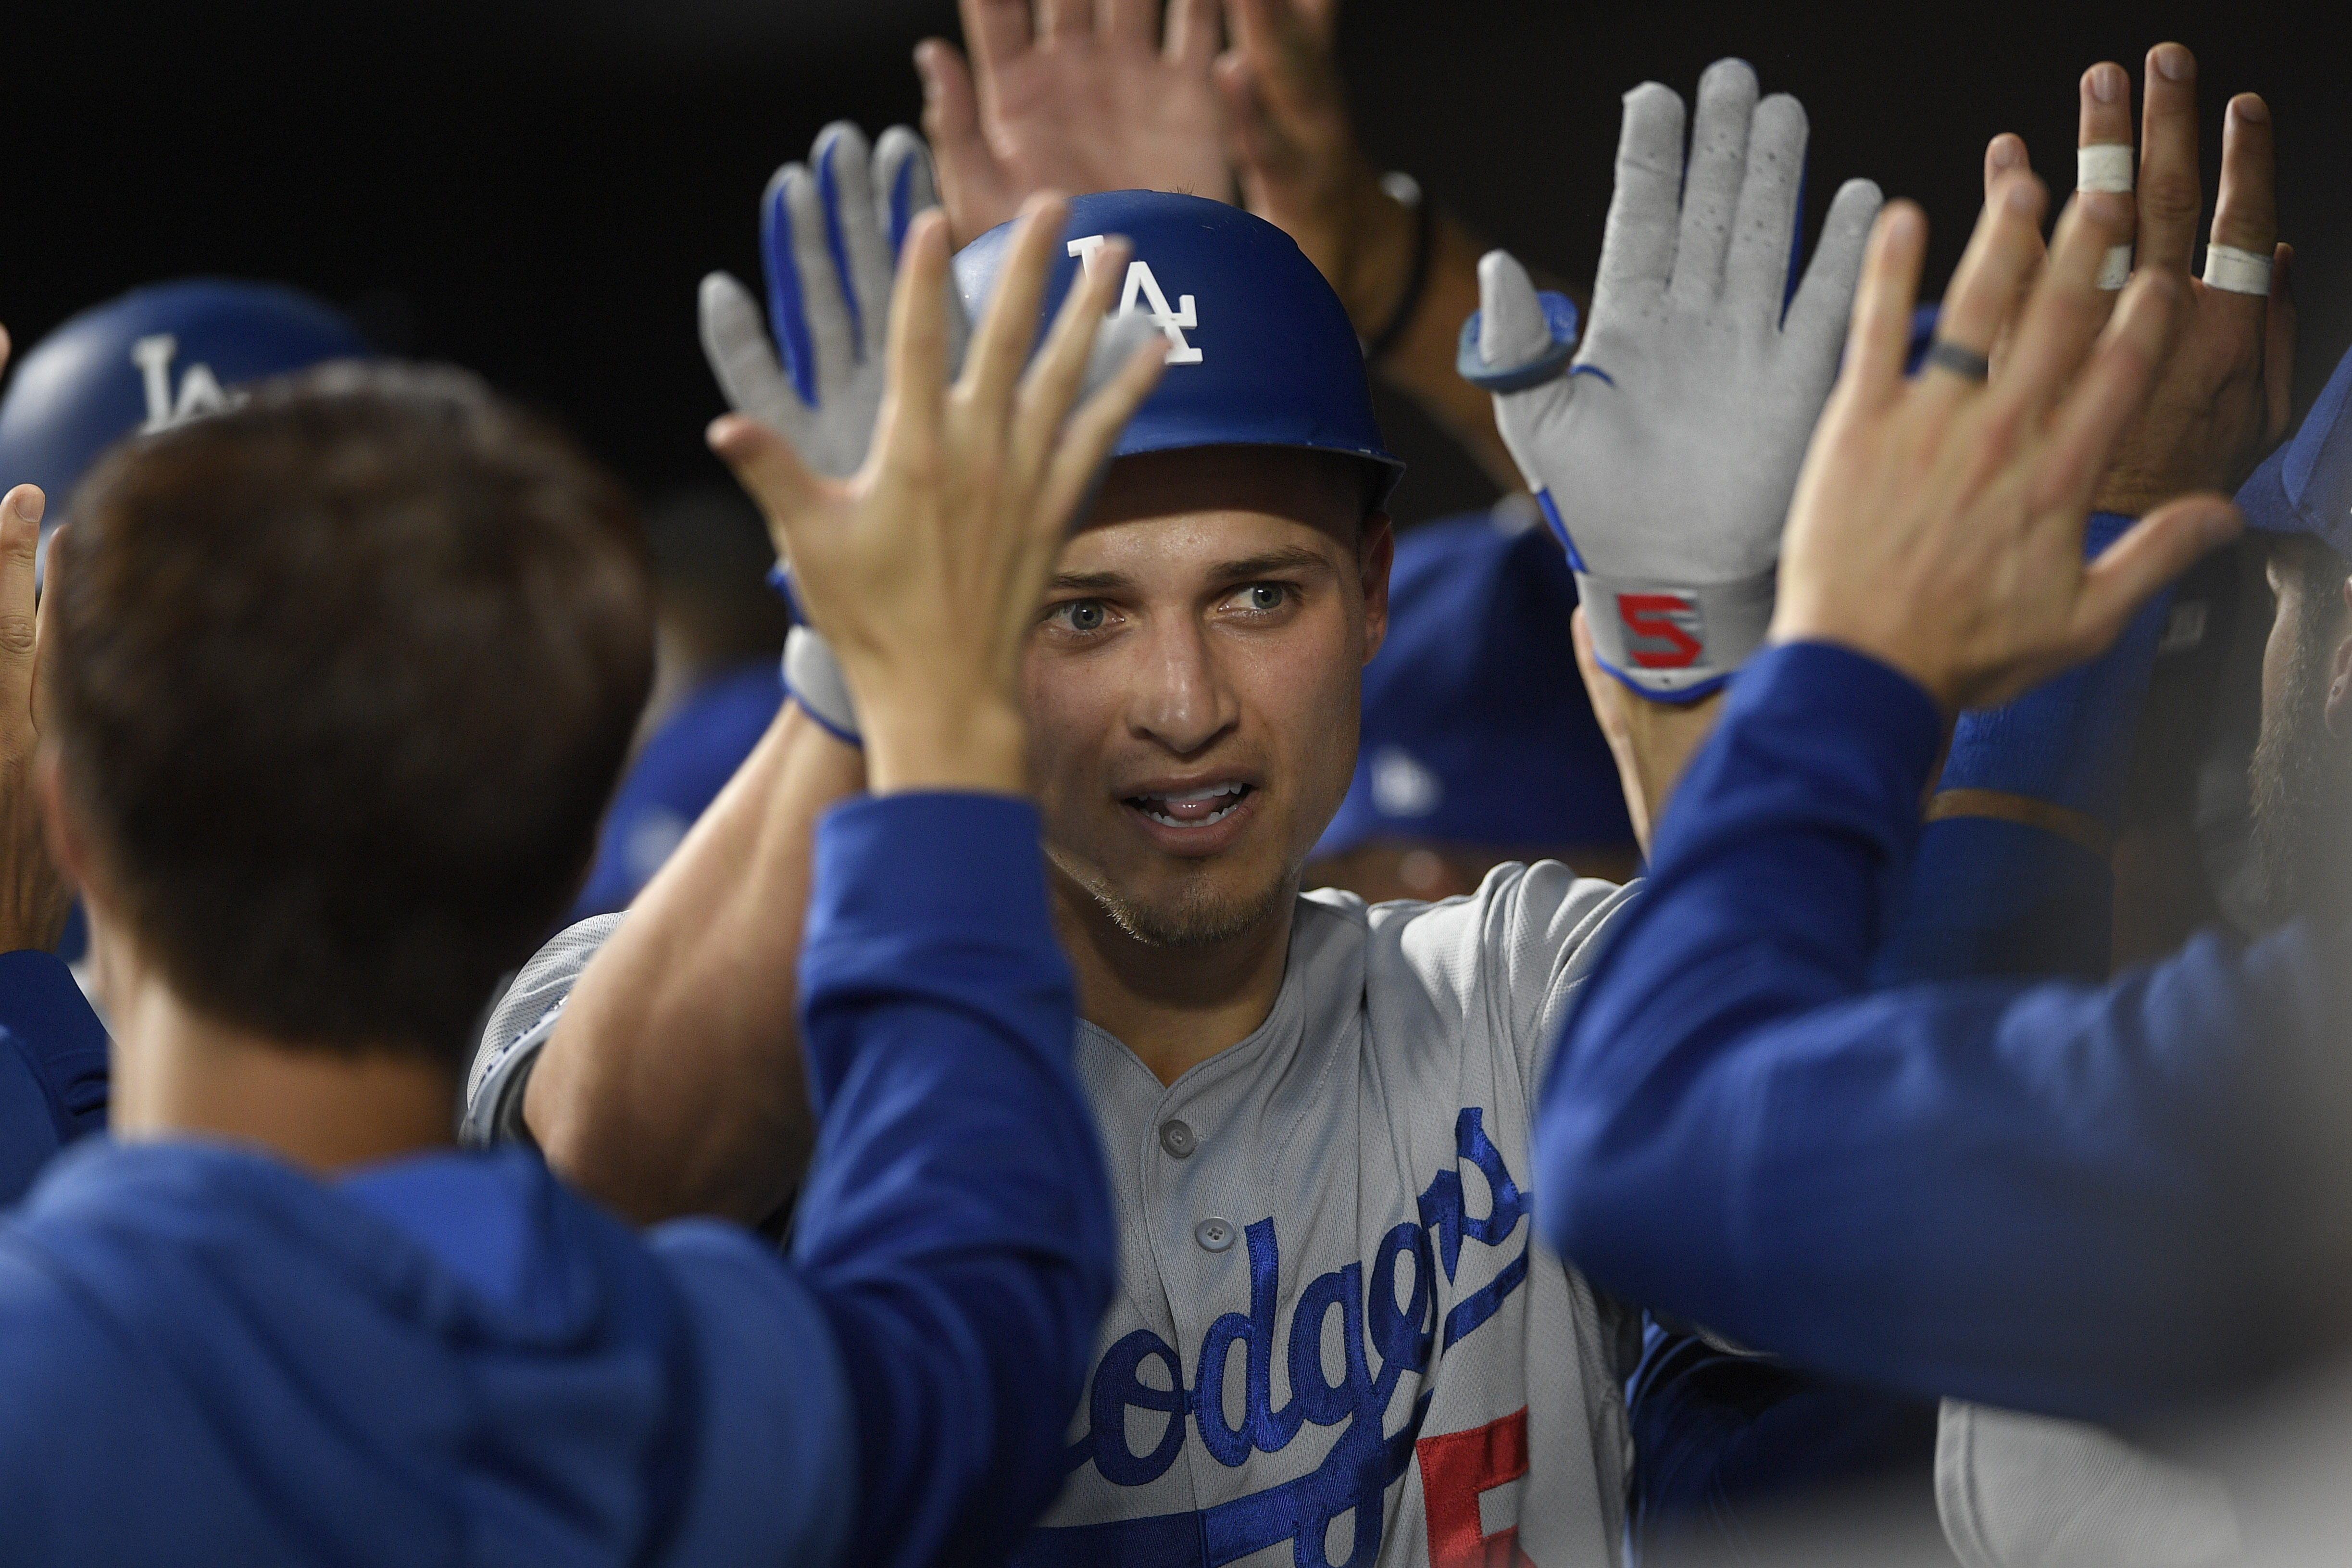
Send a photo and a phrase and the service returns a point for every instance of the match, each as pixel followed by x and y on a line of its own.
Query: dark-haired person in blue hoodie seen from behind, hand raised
pixel 276 1318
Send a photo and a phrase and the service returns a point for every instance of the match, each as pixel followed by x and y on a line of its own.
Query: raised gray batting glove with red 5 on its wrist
pixel 1669 448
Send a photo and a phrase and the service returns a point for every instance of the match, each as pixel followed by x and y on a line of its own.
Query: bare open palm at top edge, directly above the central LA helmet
pixel 1083 95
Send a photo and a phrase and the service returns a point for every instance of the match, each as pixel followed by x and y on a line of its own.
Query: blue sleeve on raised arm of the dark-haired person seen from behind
pixel 956 1224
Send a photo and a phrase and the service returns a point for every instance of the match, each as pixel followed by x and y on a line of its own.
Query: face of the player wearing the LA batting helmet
pixel 1196 685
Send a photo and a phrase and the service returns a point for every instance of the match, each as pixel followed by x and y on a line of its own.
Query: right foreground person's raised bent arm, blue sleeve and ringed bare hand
pixel 2033 1193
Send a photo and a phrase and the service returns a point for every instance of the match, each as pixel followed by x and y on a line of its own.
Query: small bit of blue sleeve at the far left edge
pixel 53 1066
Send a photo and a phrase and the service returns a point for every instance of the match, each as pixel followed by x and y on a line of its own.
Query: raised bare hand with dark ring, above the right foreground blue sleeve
pixel 1939 523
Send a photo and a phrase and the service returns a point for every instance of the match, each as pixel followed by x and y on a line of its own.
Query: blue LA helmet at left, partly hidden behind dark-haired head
pixel 149 361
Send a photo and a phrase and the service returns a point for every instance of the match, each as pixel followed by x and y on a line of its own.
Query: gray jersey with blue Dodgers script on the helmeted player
pixel 1337 1339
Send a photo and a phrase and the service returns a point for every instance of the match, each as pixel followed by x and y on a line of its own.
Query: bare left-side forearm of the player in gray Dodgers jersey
pixel 674 1080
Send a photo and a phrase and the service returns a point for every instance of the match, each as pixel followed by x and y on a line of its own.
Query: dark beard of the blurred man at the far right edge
pixel 2301 782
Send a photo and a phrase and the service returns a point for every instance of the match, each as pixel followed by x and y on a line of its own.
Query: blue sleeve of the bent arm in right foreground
pixel 2043 1195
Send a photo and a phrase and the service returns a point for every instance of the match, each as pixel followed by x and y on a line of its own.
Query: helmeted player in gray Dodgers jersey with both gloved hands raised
pixel 1335 1336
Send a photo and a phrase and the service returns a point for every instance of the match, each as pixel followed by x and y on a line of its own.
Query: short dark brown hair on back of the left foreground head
pixel 342 681
